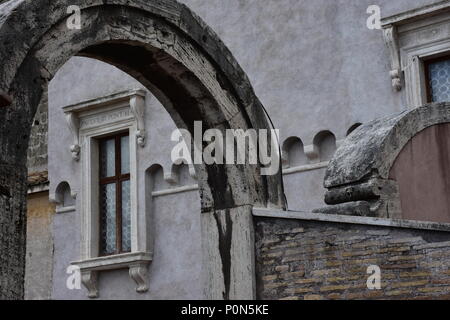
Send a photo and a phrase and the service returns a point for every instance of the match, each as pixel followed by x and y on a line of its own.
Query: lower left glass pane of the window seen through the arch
pixel 108 218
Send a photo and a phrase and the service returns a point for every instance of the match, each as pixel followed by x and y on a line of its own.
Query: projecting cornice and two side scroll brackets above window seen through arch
pixel 135 100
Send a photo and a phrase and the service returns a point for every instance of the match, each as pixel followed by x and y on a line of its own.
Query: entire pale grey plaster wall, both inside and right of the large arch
pixel 314 65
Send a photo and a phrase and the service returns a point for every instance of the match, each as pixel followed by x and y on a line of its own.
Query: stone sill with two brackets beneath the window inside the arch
pixel 136 262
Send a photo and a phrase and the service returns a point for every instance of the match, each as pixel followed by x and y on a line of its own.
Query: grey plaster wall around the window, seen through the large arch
pixel 176 270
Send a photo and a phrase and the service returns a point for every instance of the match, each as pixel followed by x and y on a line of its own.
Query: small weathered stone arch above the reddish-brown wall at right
pixel 373 147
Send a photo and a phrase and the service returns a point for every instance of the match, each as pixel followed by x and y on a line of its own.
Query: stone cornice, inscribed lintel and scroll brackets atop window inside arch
pixel 86 114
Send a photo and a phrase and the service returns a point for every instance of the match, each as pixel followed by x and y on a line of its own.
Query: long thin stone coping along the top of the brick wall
pixel 381 222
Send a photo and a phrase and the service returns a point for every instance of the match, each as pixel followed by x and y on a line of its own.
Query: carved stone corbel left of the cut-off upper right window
pixel 391 41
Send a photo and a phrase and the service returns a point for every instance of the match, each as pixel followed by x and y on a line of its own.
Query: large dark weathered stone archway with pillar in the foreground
pixel 181 60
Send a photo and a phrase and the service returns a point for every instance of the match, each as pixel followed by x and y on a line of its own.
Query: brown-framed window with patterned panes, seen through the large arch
pixel 114 194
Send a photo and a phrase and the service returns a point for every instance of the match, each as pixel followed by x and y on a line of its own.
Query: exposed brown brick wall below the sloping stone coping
pixel 319 260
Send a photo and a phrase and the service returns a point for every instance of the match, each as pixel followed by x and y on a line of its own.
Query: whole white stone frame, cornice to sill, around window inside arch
pixel 90 121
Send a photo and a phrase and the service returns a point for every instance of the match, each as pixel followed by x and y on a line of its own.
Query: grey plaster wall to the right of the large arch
pixel 314 65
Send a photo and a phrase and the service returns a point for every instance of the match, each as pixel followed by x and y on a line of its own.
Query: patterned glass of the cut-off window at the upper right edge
pixel 439 75
